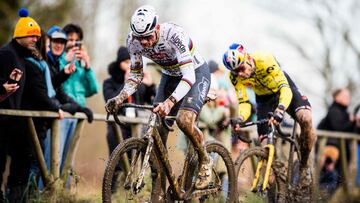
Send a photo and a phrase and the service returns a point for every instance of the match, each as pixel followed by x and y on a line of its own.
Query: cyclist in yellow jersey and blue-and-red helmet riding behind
pixel 275 92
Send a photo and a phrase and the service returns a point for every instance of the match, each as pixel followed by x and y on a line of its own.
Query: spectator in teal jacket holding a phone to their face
pixel 81 84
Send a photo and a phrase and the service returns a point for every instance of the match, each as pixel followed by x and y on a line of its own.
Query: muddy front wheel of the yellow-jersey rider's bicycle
pixel 245 167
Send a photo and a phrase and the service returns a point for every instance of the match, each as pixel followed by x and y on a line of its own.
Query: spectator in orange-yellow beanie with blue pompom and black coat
pixel 13 140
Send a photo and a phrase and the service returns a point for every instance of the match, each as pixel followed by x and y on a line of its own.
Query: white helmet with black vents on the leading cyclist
pixel 144 21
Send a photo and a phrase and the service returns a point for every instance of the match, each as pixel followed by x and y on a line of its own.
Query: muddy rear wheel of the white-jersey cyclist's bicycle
pixel 223 177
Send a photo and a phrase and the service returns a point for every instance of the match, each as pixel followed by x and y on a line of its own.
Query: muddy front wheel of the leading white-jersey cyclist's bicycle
pixel 122 171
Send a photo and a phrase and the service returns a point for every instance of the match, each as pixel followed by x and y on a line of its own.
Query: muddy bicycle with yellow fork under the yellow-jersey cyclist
pixel 263 175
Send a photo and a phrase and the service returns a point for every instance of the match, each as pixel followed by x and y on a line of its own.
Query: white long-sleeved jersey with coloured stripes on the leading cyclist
pixel 173 50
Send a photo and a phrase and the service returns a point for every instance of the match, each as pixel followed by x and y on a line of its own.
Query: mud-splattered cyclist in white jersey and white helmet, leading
pixel 185 79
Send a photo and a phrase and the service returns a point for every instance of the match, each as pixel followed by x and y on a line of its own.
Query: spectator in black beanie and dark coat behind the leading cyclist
pixel 119 71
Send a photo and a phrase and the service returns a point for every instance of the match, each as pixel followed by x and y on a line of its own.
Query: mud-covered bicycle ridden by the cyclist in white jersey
pixel 145 159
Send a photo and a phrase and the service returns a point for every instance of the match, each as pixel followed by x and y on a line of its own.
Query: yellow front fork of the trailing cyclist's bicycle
pixel 271 150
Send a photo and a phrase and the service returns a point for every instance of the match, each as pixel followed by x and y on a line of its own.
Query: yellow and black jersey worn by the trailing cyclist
pixel 268 79
